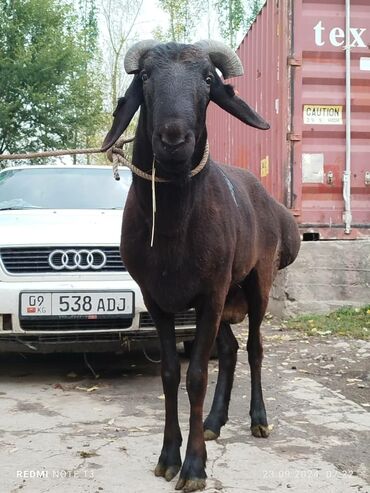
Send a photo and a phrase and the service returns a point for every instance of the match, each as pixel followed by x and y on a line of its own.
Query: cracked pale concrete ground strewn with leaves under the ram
pixel 63 429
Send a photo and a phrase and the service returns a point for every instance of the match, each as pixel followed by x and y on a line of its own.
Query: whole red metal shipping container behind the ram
pixel 315 93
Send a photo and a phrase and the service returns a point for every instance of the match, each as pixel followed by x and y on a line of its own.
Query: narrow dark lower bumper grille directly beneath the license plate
pixel 67 324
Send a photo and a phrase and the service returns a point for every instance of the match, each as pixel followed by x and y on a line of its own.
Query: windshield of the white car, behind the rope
pixel 63 188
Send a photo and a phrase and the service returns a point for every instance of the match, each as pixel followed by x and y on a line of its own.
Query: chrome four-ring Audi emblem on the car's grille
pixel 77 259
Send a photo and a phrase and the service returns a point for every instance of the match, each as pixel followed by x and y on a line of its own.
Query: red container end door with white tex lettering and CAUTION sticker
pixel 319 116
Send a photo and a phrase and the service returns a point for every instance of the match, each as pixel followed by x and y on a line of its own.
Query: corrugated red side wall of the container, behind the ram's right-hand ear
pixel 264 86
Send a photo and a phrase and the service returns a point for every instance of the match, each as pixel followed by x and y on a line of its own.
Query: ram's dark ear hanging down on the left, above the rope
pixel 124 112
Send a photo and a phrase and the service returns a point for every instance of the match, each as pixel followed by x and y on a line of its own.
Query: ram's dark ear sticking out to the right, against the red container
pixel 224 96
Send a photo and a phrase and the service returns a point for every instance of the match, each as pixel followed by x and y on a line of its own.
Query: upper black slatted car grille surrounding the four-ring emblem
pixel 35 260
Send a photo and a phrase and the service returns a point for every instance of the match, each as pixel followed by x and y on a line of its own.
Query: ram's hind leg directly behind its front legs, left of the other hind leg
pixel 227 347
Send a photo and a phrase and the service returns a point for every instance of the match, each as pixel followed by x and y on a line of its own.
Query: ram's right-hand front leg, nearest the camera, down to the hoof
pixel 193 475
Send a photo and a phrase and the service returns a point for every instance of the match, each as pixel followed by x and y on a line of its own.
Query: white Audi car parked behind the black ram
pixel 63 286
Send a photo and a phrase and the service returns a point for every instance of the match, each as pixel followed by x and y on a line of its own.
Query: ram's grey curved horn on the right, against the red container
pixel 223 57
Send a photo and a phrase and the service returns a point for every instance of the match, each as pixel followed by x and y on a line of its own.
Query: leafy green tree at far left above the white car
pixel 50 88
